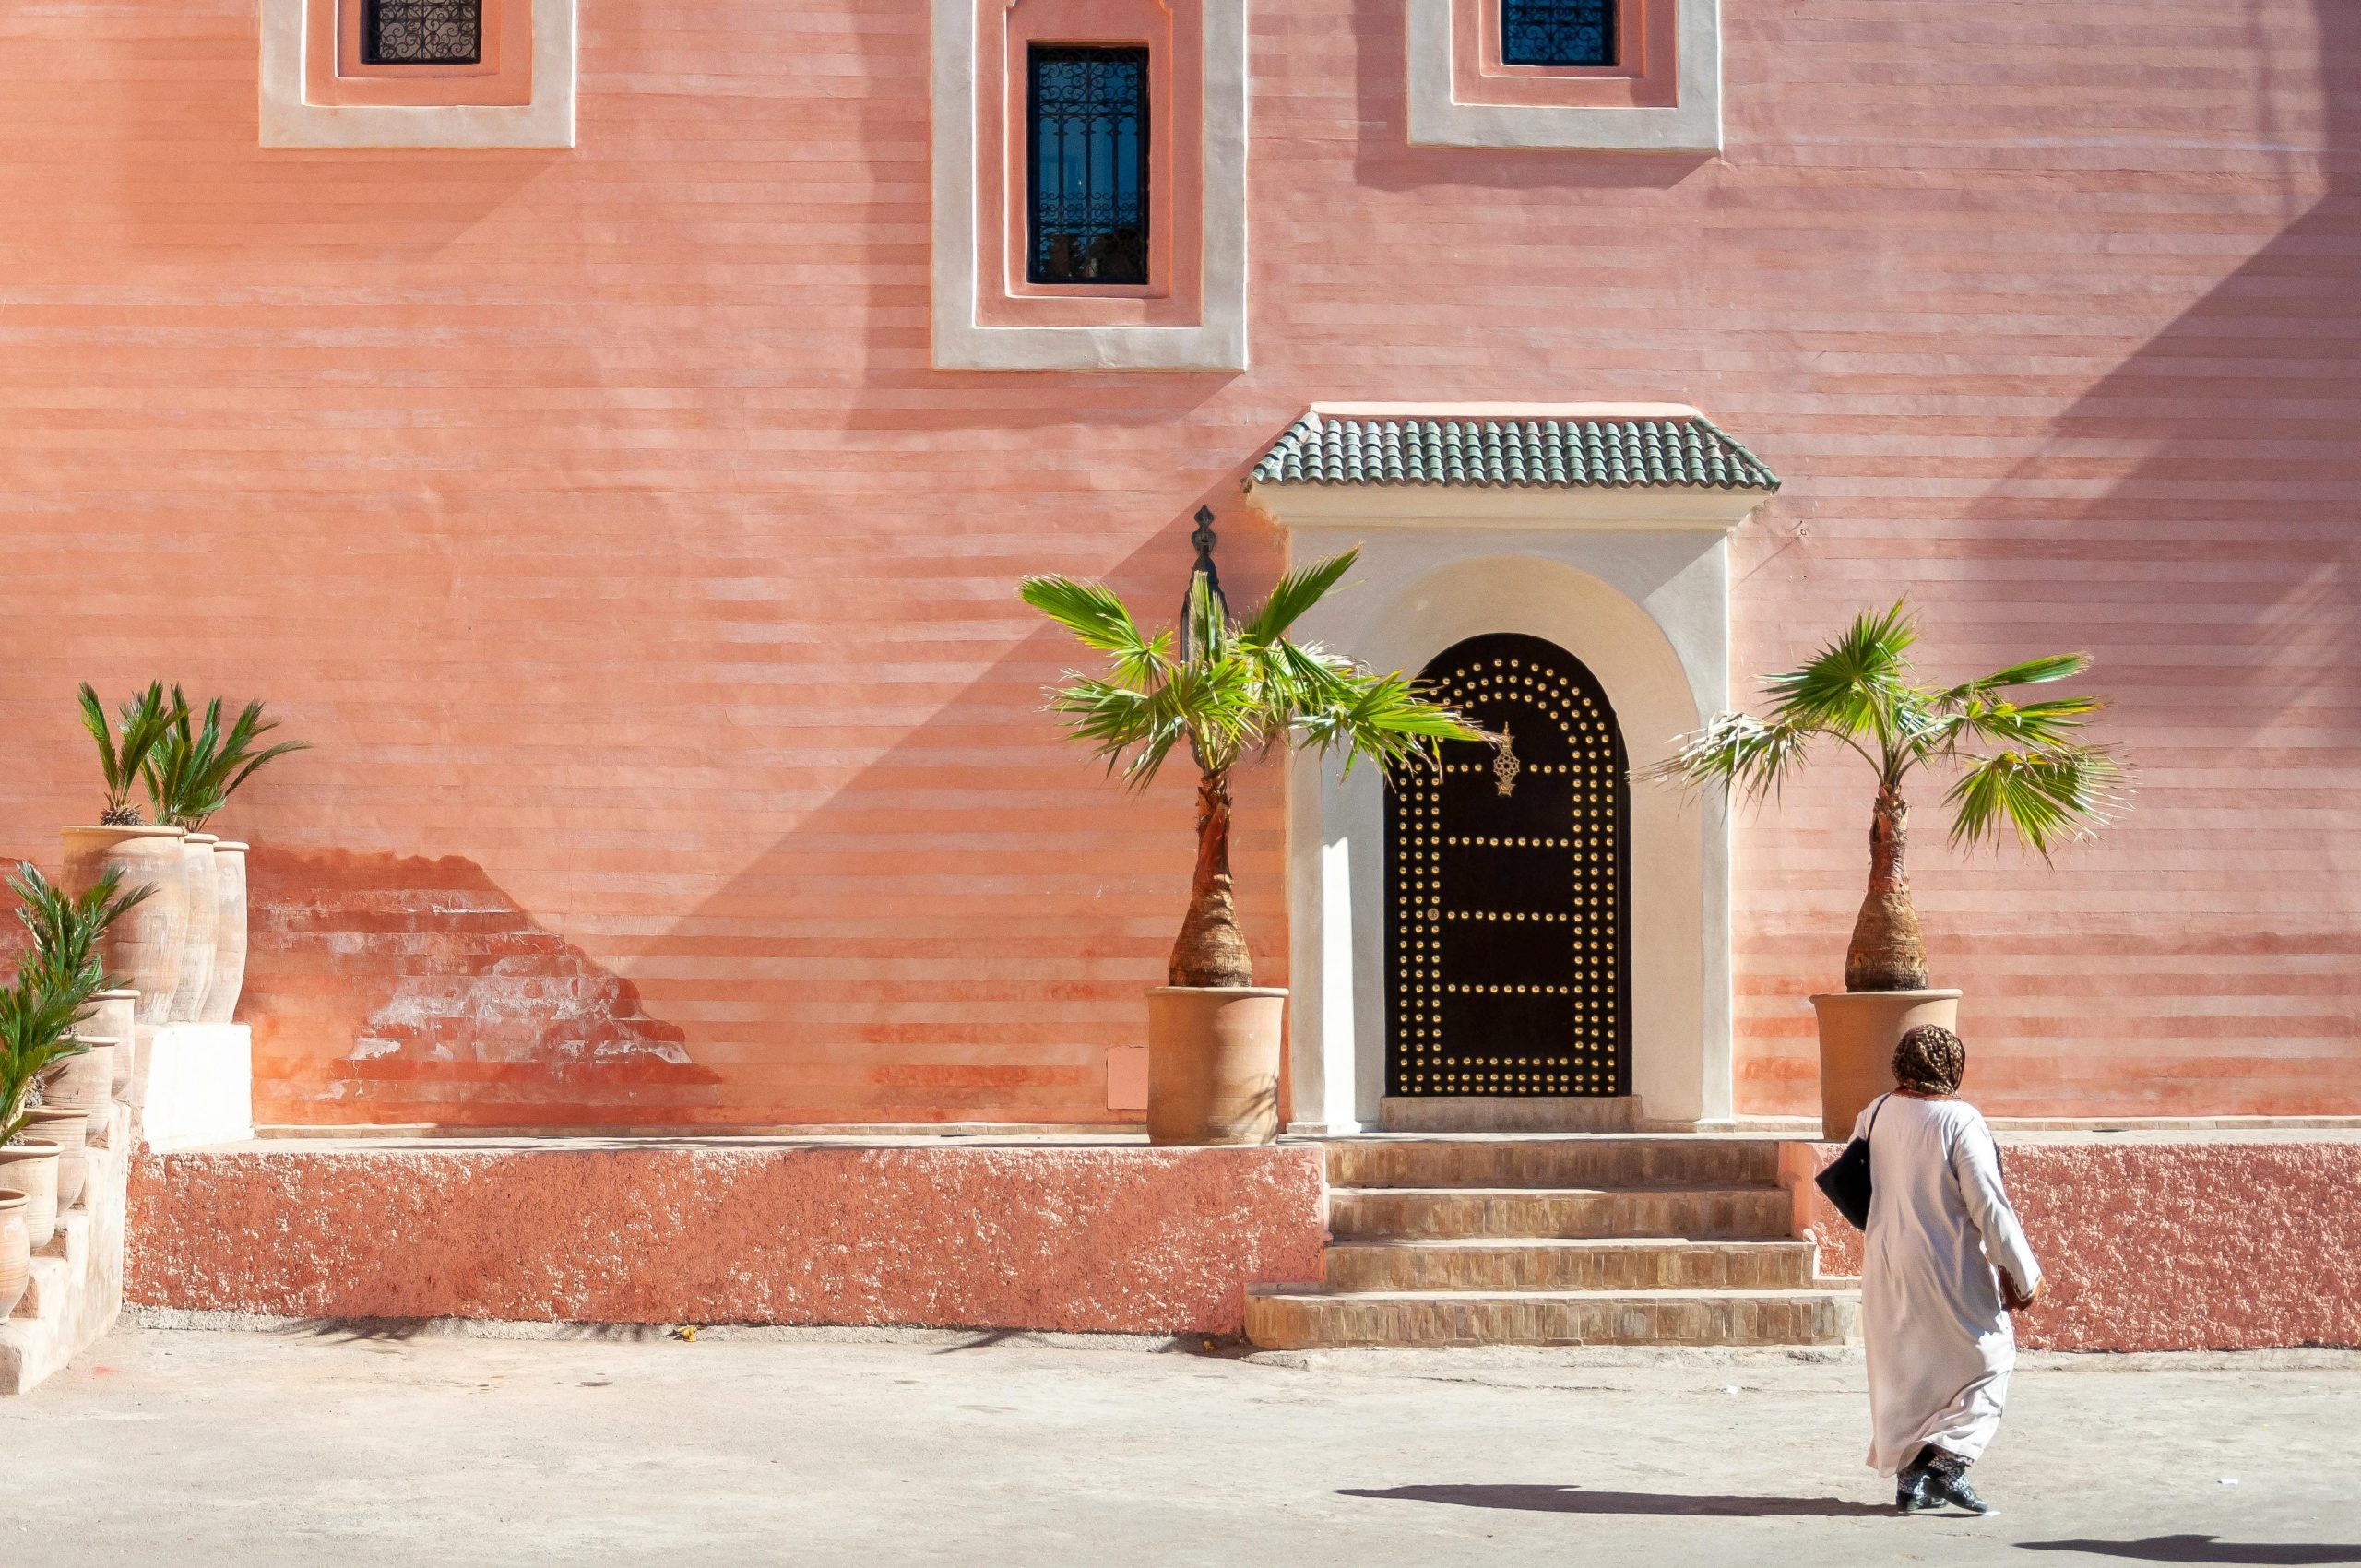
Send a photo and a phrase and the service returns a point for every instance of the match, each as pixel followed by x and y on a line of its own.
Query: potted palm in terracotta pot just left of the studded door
pixel 1229 693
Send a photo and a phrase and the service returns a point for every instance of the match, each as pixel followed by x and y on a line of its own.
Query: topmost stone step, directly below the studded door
pixel 1552 1163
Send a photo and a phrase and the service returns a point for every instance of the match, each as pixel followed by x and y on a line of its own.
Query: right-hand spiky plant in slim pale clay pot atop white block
pixel 192 773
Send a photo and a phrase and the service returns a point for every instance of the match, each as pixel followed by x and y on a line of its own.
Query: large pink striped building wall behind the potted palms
pixel 650 603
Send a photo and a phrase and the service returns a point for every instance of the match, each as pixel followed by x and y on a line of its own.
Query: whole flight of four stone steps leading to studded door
pixel 1628 1241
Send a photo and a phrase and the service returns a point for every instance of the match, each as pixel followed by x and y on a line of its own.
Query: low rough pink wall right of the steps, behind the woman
pixel 2178 1246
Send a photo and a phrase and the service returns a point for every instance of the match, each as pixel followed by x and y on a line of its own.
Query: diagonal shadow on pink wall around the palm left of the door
pixel 962 925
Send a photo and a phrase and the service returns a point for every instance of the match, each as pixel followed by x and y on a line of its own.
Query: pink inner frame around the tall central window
pixel 1175 39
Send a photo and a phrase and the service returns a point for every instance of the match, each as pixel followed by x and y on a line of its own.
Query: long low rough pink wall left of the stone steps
pixel 1028 1239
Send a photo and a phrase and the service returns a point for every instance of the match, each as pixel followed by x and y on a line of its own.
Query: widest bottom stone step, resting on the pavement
pixel 1290 1319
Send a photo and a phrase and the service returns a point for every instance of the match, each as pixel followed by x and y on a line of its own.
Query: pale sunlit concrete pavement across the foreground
pixel 280 1449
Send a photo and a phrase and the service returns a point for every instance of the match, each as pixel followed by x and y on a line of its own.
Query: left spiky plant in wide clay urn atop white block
pixel 145 948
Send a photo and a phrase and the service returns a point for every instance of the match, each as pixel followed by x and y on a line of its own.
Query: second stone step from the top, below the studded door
pixel 1706 1215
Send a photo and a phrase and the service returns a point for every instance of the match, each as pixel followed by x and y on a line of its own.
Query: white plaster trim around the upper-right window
pixel 1694 126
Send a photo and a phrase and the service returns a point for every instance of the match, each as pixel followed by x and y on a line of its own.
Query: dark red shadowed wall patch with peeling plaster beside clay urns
pixel 424 993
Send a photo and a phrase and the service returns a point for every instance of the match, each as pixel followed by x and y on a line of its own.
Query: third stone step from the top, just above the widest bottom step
pixel 1569 1265
